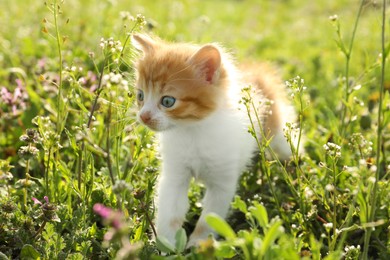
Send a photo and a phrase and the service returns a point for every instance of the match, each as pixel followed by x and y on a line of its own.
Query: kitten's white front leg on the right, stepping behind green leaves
pixel 218 197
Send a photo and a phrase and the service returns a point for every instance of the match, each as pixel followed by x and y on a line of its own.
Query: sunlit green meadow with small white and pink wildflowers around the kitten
pixel 78 173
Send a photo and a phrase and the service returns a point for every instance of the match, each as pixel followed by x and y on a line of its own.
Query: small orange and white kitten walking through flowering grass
pixel 190 95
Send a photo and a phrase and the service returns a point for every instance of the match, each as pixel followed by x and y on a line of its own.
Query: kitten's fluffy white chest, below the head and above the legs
pixel 207 147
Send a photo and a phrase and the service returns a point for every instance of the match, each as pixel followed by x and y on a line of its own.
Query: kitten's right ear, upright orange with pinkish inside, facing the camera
pixel 208 60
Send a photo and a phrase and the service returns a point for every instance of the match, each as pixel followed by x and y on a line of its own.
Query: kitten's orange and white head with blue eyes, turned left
pixel 177 83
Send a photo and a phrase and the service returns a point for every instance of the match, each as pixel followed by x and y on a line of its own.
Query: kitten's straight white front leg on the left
pixel 172 203
